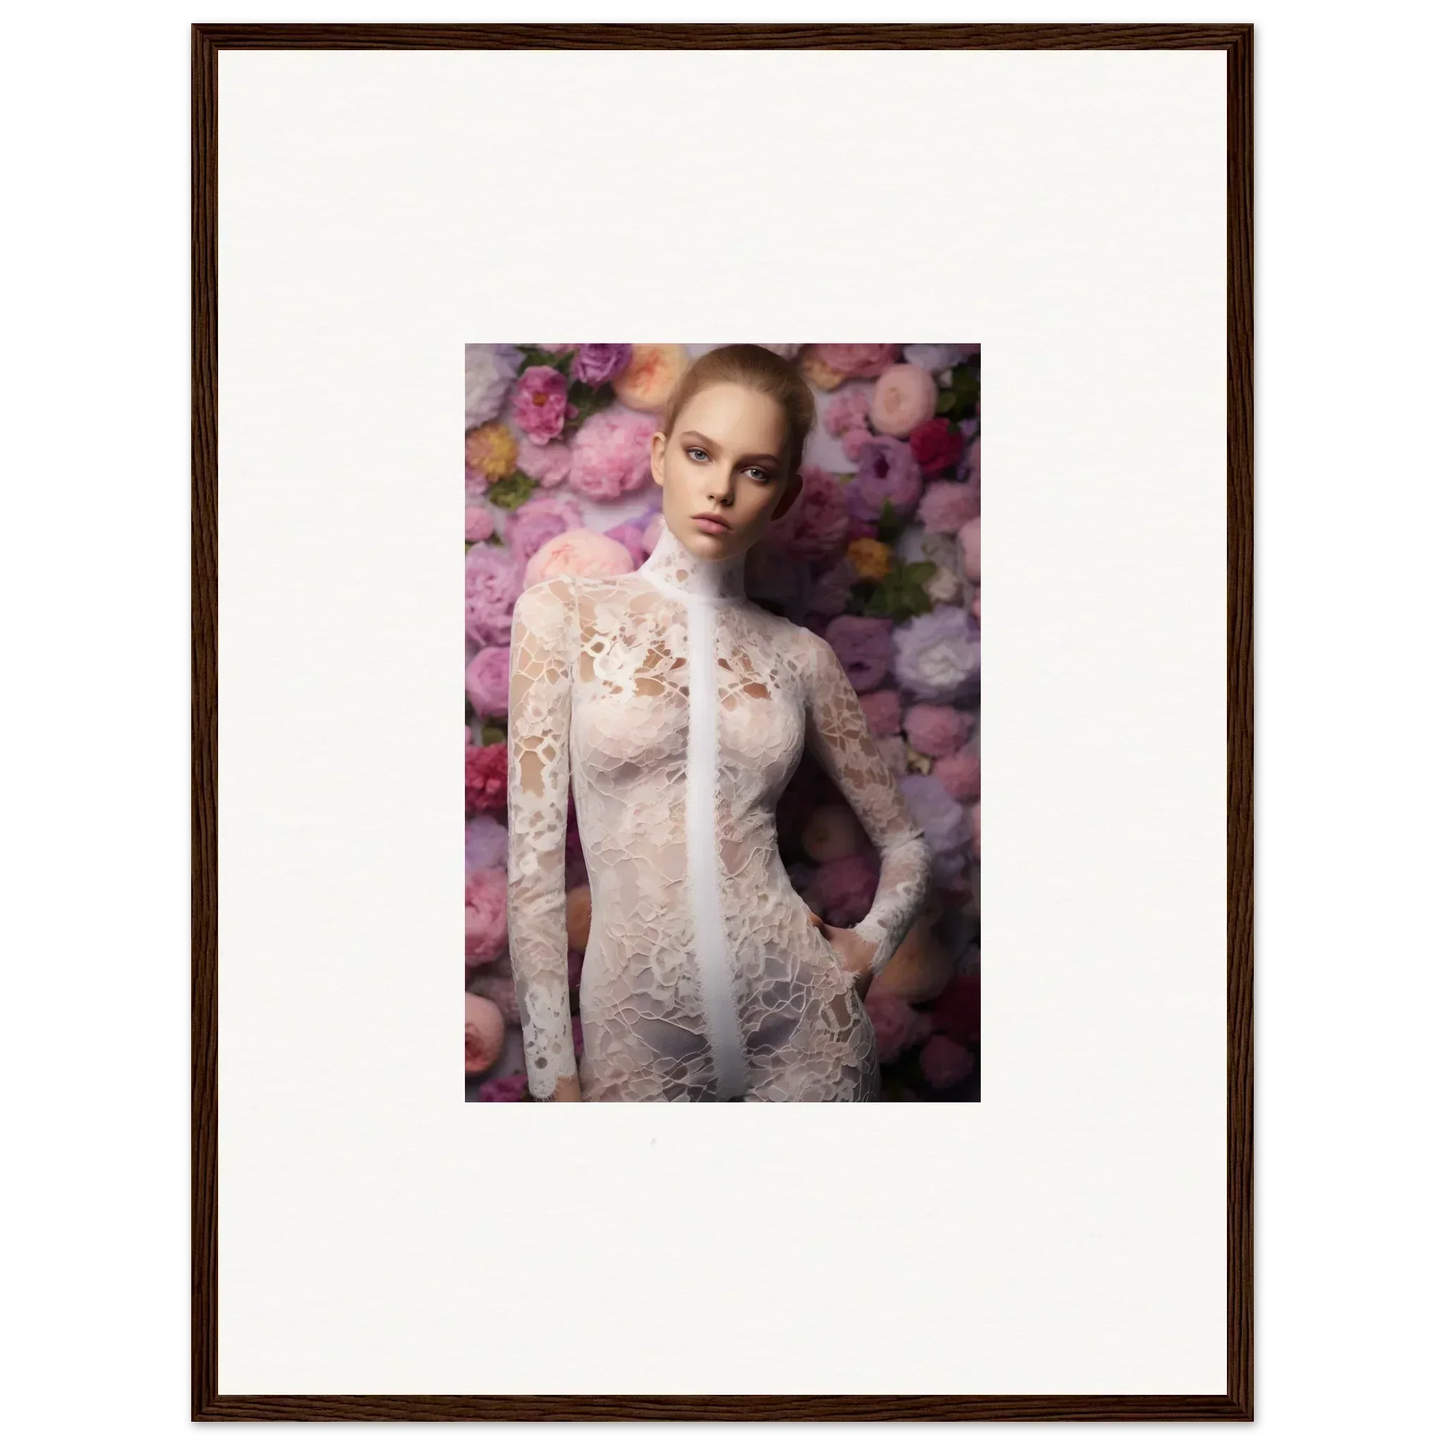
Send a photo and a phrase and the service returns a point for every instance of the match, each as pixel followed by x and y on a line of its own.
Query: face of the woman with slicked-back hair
pixel 723 470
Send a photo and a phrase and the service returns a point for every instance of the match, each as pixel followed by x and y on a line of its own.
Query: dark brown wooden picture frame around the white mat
pixel 1238 41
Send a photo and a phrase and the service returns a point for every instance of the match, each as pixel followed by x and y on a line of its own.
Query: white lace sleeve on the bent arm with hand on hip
pixel 840 738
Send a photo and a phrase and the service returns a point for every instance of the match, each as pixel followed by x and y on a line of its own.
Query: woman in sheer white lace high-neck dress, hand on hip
pixel 678 712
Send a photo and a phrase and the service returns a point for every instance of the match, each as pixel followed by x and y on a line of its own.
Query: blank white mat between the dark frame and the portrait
pixel 381 210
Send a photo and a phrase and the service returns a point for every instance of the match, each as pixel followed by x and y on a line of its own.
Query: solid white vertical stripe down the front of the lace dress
pixel 710 939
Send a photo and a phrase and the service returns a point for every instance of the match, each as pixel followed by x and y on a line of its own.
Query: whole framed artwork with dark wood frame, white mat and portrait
pixel 716 832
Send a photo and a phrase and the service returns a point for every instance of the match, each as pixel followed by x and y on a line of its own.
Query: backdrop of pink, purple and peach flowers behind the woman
pixel 879 556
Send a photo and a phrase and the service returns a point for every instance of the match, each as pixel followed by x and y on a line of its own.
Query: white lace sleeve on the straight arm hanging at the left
pixel 538 772
